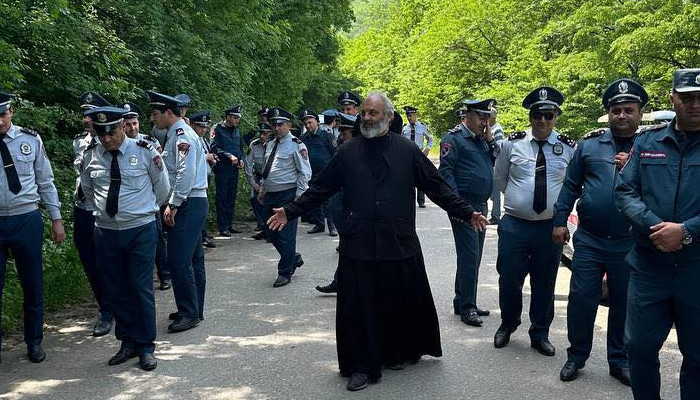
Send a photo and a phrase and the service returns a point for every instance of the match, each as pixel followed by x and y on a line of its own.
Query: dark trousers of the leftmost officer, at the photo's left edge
pixel 22 235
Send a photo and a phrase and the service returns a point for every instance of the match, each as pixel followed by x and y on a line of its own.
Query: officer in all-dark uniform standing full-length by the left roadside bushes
pixel 228 147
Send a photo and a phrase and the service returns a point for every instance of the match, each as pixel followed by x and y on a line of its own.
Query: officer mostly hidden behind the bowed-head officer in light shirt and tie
pixel 84 221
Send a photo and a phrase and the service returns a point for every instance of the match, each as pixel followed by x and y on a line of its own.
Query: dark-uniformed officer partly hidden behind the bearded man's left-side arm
pixel 321 148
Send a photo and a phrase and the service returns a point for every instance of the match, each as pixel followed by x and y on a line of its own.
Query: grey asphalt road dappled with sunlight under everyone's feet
pixel 263 343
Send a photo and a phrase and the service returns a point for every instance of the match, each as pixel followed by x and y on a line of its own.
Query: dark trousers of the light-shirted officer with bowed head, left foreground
pixel 125 264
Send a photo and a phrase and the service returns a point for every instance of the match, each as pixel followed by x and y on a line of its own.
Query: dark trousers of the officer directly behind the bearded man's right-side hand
pixel 470 246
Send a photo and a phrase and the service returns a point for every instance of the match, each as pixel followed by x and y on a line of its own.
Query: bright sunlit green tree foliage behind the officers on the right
pixel 432 54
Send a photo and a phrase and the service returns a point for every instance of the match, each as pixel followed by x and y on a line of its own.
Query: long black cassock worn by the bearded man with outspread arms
pixel 385 310
